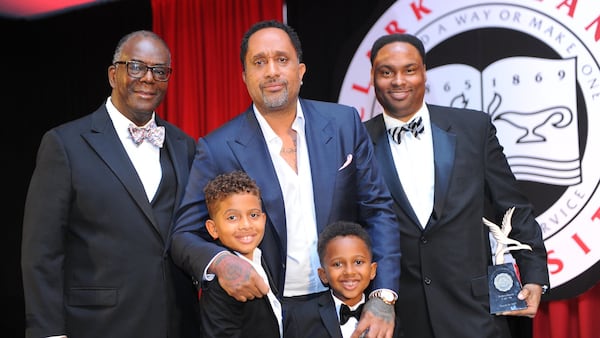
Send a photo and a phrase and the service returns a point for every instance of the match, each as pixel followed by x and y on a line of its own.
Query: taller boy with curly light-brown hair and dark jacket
pixel 237 221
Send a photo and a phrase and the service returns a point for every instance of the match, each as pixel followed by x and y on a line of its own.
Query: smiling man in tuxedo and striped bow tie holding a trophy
pixel 447 171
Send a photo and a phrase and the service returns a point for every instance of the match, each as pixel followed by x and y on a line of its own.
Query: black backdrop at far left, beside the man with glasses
pixel 53 70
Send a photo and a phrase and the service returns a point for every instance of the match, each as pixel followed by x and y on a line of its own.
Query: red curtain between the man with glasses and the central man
pixel 206 88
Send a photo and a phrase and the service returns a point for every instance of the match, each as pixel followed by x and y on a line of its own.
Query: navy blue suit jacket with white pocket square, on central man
pixel 356 192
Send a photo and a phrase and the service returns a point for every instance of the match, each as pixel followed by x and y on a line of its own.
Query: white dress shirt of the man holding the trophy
pixel 413 159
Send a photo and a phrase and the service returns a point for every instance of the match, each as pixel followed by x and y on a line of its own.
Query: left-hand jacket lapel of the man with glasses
pixel 104 140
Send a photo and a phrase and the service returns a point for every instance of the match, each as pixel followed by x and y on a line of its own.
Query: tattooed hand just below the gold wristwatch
pixel 377 320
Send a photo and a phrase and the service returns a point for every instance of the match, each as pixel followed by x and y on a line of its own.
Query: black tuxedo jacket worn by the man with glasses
pixel 95 263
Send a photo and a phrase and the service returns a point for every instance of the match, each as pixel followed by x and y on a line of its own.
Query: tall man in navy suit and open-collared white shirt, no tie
pixel 314 163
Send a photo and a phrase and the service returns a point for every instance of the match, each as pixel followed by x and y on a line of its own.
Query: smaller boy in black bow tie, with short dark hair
pixel 345 254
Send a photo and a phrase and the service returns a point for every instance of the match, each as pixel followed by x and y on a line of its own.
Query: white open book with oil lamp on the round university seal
pixel 532 103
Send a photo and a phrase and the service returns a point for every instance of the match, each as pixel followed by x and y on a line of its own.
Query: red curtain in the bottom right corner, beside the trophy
pixel 570 318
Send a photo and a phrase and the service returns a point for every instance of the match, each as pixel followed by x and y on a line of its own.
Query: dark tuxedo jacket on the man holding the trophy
pixel 444 266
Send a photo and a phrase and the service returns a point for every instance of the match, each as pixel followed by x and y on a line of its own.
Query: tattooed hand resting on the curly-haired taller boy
pixel 238 278
